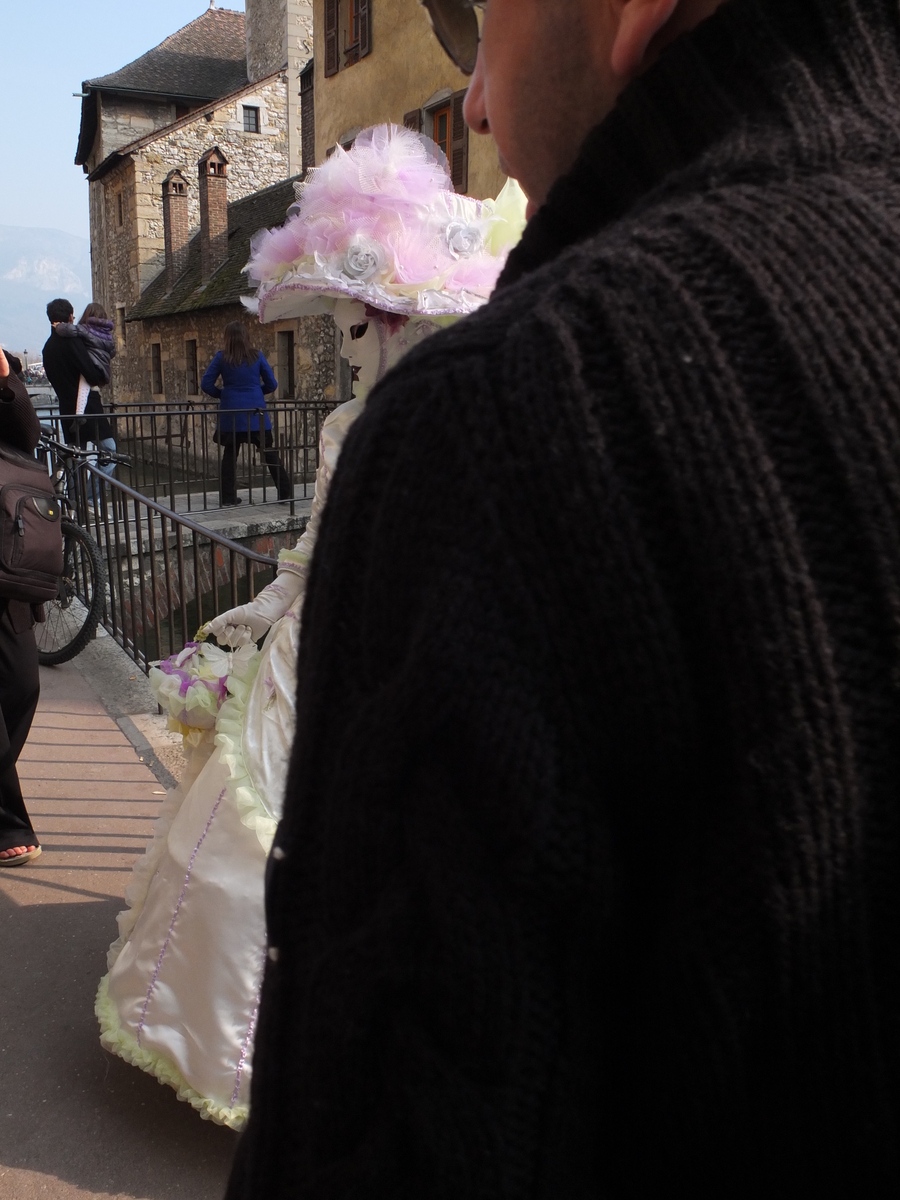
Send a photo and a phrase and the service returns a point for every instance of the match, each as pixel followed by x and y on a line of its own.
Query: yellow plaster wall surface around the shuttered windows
pixel 405 70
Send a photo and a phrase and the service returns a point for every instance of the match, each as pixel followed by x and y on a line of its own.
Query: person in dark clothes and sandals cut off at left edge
pixel 20 682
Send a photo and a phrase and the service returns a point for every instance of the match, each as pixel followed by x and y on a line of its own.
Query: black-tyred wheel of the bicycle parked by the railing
pixel 71 620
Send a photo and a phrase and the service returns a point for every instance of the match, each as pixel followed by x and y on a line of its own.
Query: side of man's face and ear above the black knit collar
pixel 550 70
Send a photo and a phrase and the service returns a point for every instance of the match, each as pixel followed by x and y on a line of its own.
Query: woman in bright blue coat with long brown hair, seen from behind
pixel 247 379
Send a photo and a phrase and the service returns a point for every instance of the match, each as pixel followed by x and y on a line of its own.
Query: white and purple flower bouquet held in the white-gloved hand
pixel 191 686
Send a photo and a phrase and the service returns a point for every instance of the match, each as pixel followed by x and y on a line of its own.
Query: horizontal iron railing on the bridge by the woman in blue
pixel 178 461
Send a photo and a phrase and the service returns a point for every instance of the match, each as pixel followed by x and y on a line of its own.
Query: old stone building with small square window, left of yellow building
pixel 226 81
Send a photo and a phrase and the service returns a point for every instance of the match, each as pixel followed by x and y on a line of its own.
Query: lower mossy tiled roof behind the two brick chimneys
pixel 265 209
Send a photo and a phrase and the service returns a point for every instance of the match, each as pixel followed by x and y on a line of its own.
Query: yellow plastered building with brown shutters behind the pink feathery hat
pixel 379 61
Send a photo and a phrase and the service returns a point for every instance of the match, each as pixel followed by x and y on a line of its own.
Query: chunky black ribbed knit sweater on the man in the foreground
pixel 591 877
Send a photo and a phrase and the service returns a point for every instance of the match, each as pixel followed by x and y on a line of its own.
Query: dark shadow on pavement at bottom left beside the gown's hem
pixel 68 1109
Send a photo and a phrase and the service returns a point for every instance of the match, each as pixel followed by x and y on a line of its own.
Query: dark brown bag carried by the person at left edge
pixel 31 531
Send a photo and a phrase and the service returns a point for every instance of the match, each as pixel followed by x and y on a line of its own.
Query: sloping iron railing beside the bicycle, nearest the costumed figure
pixel 167 574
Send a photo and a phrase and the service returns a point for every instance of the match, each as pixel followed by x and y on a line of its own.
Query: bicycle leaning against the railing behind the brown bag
pixel 71 620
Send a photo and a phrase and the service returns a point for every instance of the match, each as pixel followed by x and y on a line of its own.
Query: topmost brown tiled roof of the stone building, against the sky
pixel 203 61
